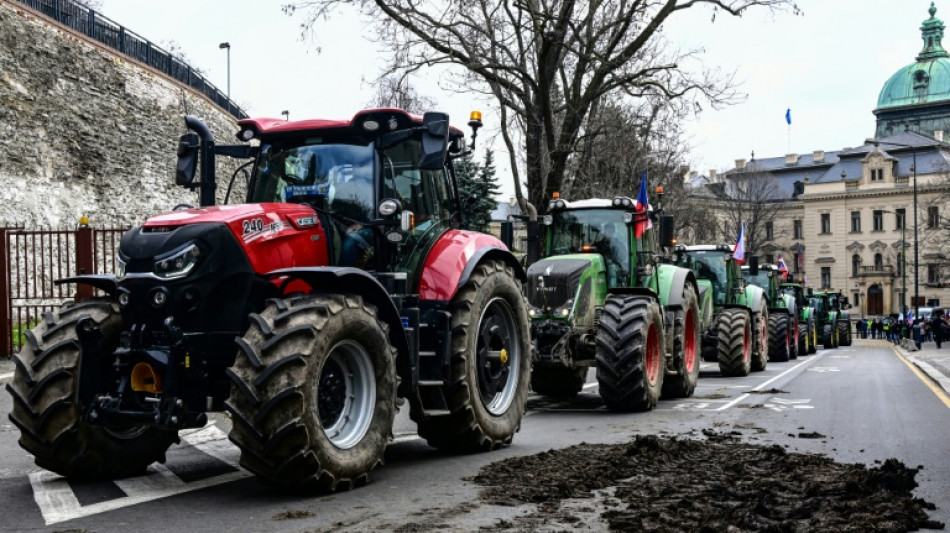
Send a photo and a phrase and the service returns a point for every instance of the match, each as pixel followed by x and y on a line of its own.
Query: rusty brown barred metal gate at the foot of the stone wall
pixel 30 262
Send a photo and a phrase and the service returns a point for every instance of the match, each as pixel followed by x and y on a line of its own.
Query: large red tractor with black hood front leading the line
pixel 339 290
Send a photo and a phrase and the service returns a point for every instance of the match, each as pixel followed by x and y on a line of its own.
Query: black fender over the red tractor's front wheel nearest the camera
pixel 355 281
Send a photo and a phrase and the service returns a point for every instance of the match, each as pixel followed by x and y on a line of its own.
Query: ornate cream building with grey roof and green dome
pixel 848 217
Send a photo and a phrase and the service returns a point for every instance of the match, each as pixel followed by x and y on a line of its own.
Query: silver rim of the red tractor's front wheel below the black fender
pixel 346 394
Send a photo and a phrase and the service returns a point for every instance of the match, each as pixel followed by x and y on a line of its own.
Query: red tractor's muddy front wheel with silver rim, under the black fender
pixel 313 392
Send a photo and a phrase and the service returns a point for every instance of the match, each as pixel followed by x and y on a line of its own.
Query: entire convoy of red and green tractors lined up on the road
pixel 342 289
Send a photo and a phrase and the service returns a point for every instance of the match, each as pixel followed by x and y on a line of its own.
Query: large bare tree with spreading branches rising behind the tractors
pixel 546 62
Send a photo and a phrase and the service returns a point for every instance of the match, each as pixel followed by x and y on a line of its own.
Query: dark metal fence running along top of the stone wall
pixel 121 39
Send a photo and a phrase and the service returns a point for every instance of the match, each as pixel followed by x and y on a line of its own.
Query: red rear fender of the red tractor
pixel 454 257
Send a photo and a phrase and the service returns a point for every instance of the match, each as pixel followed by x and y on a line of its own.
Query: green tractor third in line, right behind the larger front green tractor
pixel 734 315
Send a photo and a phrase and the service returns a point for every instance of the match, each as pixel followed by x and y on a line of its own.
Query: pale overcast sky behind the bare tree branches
pixel 827 66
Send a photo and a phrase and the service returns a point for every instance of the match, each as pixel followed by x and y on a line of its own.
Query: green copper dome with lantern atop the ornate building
pixel 917 97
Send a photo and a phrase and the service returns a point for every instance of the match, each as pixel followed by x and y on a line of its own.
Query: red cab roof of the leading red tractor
pixel 387 119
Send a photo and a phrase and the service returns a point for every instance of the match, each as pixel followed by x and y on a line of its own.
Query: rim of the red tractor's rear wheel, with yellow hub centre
pixel 498 356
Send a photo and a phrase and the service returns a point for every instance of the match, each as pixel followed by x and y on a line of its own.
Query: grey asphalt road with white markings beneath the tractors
pixel 858 404
